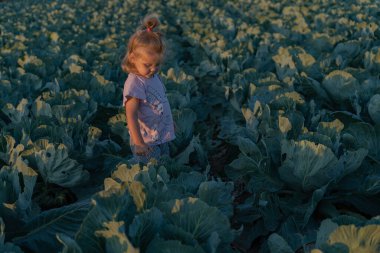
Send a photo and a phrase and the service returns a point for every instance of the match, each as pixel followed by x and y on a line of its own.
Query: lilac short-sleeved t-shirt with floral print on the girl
pixel 154 114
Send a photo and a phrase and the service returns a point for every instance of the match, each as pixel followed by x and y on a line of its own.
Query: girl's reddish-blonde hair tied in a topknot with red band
pixel 147 36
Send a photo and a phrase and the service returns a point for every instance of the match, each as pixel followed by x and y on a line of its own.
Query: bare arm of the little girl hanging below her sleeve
pixel 131 108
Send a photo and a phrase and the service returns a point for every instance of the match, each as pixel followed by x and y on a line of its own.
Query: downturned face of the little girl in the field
pixel 146 62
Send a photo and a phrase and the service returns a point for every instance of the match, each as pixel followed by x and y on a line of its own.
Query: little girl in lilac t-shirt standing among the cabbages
pixel 148 113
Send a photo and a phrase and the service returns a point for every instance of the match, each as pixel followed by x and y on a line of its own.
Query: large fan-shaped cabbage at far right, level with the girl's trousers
pixel 308 166
